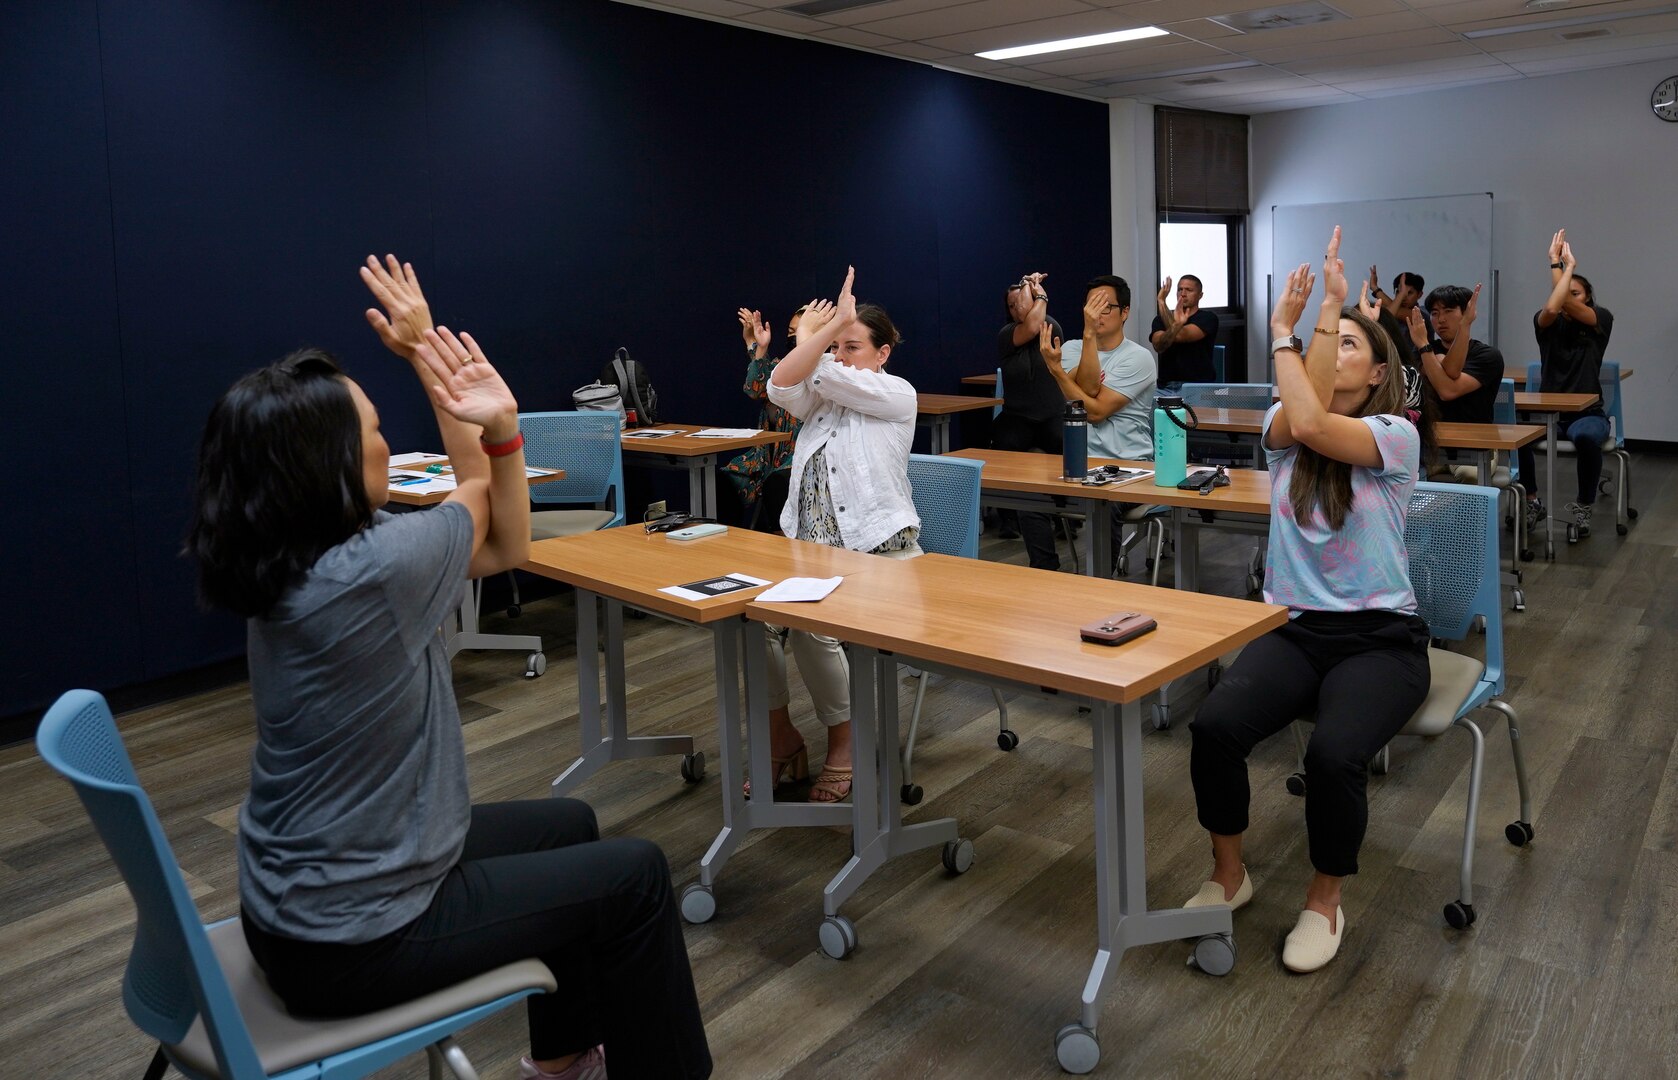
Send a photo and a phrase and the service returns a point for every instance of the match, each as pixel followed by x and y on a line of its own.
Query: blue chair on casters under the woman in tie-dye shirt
pixel 1454 568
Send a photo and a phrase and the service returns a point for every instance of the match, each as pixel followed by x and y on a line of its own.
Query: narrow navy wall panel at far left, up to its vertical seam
pixel 68 564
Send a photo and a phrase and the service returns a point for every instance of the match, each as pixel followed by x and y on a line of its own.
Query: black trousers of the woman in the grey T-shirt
pixel 534 880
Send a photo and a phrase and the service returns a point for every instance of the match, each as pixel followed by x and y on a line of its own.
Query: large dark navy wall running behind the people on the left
pixel 566 177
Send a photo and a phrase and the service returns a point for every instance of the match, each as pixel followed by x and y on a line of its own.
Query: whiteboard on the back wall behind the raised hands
pixel 1447 239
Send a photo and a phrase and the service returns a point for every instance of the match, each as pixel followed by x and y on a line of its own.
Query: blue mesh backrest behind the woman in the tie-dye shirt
pixel 1451 534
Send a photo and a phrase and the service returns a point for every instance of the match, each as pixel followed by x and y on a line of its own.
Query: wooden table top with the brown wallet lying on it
pixel 1023 625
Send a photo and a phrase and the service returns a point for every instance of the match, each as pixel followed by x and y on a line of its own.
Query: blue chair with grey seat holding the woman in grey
pixel 197 990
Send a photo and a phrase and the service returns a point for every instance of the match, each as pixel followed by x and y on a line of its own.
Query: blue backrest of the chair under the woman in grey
pixel 172 970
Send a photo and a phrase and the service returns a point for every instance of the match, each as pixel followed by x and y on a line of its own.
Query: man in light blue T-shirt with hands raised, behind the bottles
pixel 1112 375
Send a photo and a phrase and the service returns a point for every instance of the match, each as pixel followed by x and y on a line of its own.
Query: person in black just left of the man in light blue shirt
pixel 1031 403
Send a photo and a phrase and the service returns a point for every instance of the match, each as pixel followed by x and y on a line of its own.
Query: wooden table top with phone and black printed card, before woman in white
pixel 633 566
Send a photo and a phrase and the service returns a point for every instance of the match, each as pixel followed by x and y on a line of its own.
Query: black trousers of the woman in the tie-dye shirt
pixel 1363 673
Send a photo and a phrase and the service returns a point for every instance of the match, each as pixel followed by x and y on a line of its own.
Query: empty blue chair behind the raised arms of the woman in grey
pixel 590 449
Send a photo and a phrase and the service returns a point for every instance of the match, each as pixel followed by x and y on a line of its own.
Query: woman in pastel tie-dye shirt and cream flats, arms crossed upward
pixel 1343 464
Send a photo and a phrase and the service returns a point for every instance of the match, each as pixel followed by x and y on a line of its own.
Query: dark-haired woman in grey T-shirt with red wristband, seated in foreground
pixel 367 875
